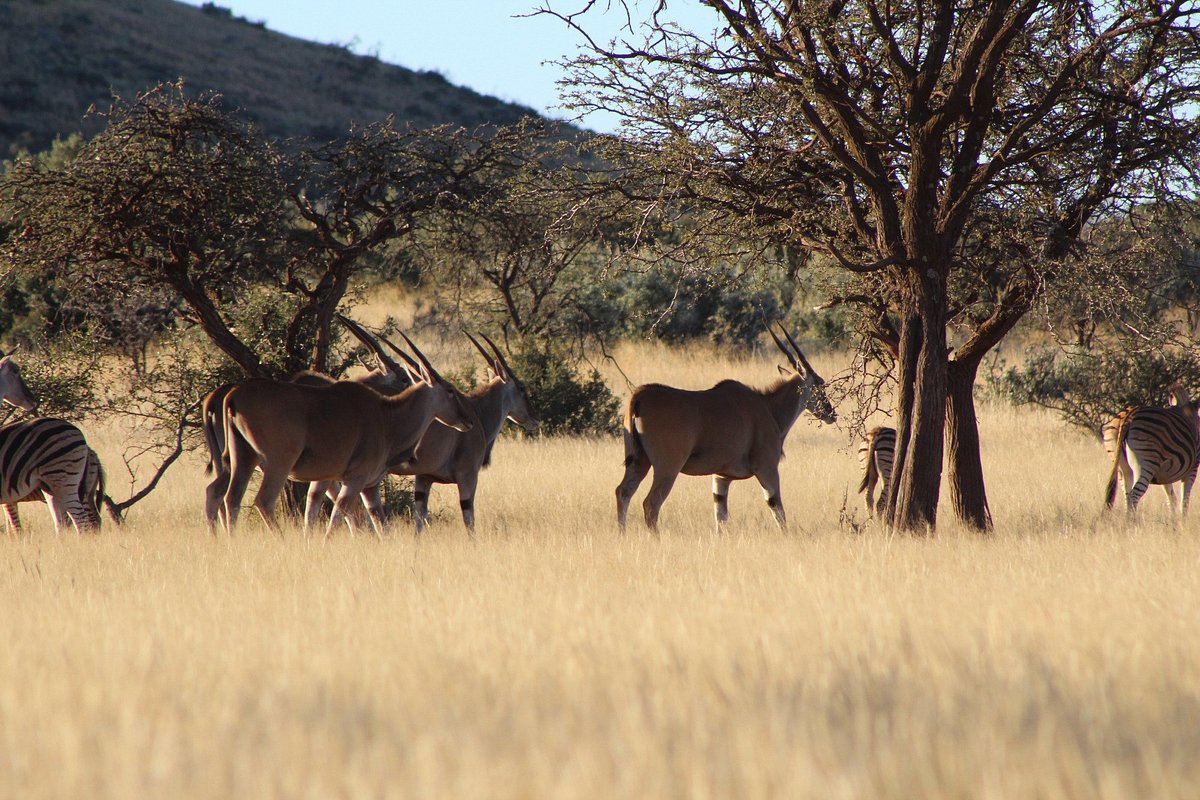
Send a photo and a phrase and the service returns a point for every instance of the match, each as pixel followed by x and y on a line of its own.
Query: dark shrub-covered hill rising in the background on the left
pixel 64 56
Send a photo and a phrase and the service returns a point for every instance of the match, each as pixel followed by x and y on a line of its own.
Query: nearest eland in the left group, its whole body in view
pixel 343 431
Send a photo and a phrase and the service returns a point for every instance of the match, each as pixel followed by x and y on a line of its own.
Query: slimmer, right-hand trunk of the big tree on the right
pixel 968 491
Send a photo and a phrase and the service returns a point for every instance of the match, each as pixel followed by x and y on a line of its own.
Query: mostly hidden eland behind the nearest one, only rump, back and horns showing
pixel 387 378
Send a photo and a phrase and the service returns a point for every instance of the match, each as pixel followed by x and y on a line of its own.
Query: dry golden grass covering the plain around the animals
pixel 551 657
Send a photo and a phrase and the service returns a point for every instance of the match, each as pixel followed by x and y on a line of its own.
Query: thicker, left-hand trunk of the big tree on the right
pixel 917 474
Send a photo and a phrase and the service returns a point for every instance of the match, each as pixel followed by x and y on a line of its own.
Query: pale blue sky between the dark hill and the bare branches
pixel 484 45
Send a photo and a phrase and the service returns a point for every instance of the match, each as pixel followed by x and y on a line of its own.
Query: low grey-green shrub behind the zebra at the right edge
pixel 1088 388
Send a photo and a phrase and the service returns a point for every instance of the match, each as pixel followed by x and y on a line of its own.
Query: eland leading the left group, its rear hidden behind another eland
pixel 448 456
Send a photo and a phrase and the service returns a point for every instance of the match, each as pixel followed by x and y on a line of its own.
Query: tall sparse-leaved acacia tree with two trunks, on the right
pixel 945 157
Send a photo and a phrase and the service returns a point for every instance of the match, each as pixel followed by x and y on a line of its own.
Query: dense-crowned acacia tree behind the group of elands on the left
pixel 181 199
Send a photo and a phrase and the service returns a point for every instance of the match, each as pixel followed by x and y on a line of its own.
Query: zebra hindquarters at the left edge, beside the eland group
pixel 51 456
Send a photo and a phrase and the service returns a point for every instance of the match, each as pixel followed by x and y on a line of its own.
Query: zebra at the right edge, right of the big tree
pixel 1149 444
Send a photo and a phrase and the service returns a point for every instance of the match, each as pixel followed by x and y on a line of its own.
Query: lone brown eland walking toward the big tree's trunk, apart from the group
pixel 731 432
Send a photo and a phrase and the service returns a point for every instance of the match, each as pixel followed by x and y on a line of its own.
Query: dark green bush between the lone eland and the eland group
pixel 567 401
